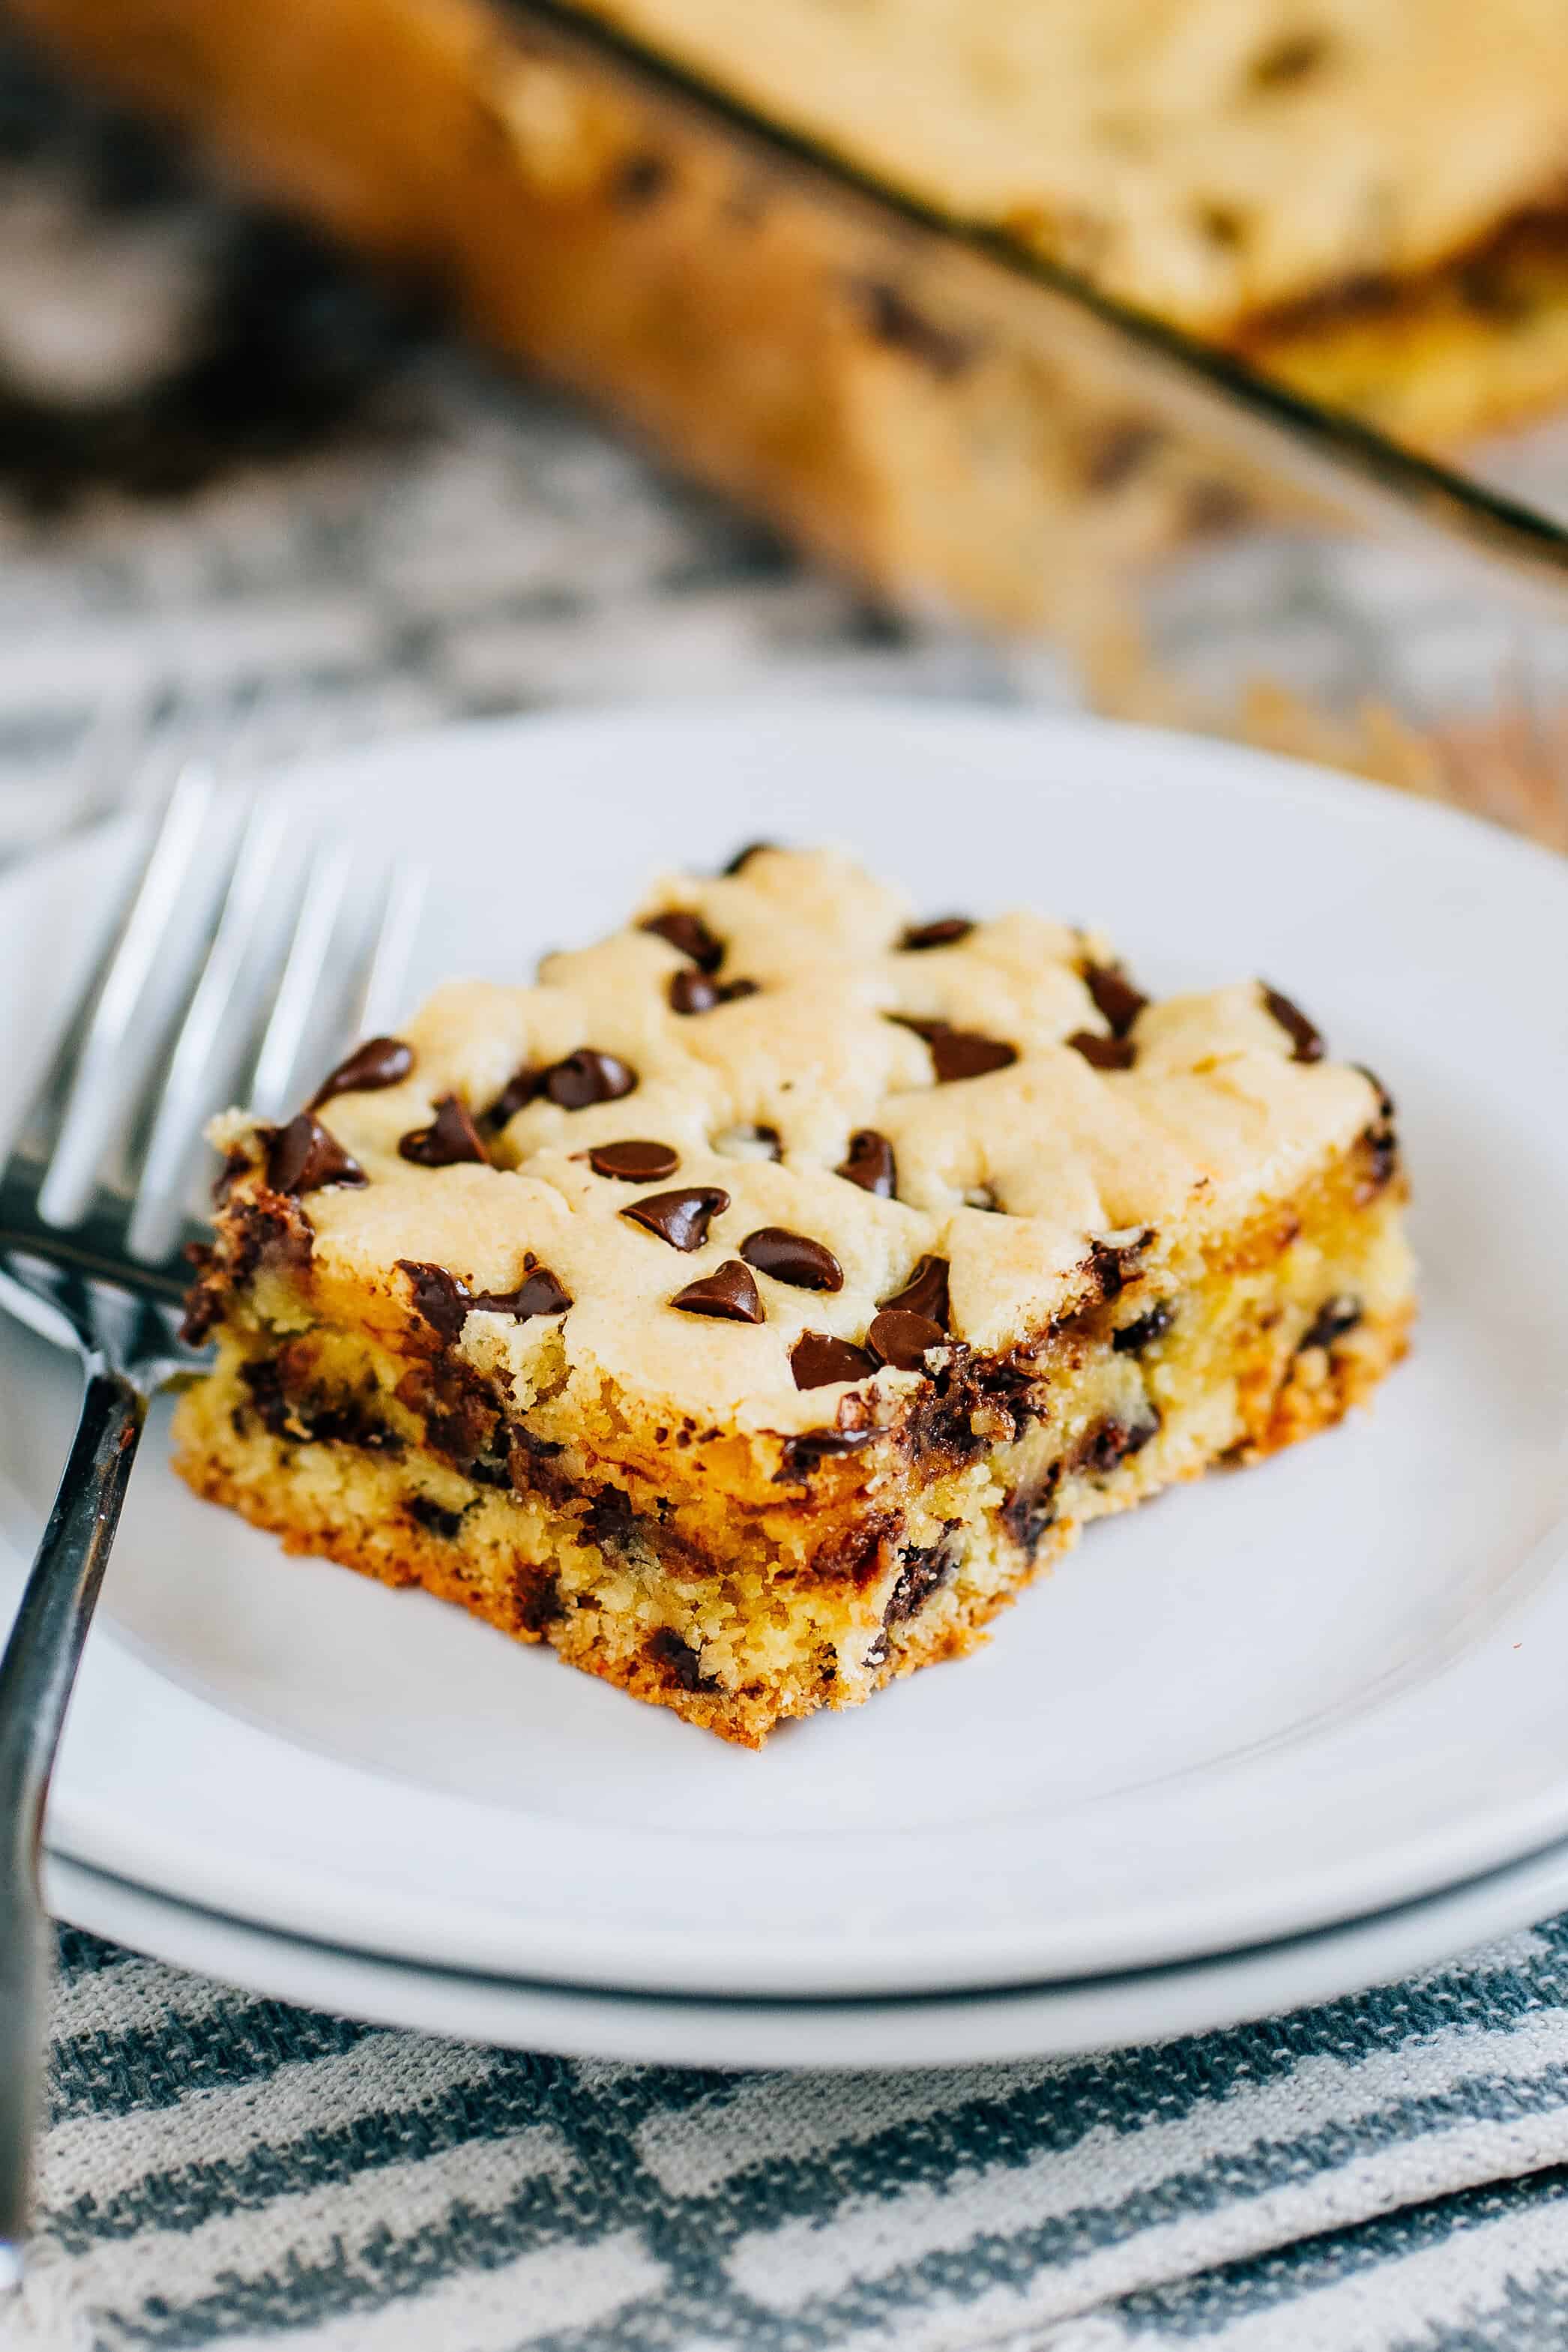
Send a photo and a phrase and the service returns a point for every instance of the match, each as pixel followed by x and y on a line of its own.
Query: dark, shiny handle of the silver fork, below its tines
pixel 36 1676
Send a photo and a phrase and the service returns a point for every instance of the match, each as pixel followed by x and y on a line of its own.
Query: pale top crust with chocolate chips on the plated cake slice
pixel 847 1130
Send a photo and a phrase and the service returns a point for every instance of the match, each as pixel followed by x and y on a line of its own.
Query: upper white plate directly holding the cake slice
pixel 1273 1704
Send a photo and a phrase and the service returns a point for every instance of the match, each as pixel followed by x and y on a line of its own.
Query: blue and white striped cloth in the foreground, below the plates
pixel 1383 2174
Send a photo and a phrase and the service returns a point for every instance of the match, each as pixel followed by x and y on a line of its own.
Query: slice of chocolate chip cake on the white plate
pixel 760 1299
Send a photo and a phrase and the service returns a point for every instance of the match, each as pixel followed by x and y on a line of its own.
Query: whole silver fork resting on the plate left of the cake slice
pixel 93 1227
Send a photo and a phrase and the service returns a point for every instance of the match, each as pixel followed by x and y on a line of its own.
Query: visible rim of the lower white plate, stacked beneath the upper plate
pixel 965 2029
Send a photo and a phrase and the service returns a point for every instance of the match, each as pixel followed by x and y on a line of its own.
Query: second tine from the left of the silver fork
pixel 192 1083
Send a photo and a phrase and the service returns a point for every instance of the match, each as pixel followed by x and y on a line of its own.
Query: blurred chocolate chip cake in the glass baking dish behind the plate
pixel 1362 196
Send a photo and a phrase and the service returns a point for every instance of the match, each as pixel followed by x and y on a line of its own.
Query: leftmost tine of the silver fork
pixel 95 1081
